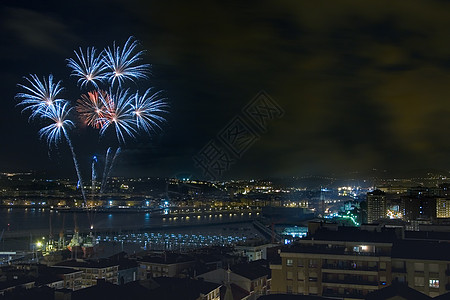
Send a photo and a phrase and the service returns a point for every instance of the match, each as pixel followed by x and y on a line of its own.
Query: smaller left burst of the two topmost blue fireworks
pixel 89 68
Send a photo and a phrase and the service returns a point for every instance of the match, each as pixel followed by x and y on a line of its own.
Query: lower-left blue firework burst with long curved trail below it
pixel 54 132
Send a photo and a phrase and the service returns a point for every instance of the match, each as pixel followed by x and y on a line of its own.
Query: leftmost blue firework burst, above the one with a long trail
pixel 39 95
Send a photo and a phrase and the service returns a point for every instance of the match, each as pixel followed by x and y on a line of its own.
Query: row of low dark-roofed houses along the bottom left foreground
pixel 217 274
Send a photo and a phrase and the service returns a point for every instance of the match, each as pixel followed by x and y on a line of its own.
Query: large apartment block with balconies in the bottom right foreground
pixel 350 263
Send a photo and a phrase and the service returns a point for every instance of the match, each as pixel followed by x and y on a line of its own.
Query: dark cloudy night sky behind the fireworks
pixel 364 84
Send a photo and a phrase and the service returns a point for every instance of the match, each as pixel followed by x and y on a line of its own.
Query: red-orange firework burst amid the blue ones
pixel 91 108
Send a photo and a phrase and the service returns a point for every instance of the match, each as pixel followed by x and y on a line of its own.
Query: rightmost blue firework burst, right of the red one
pixel 147 110
